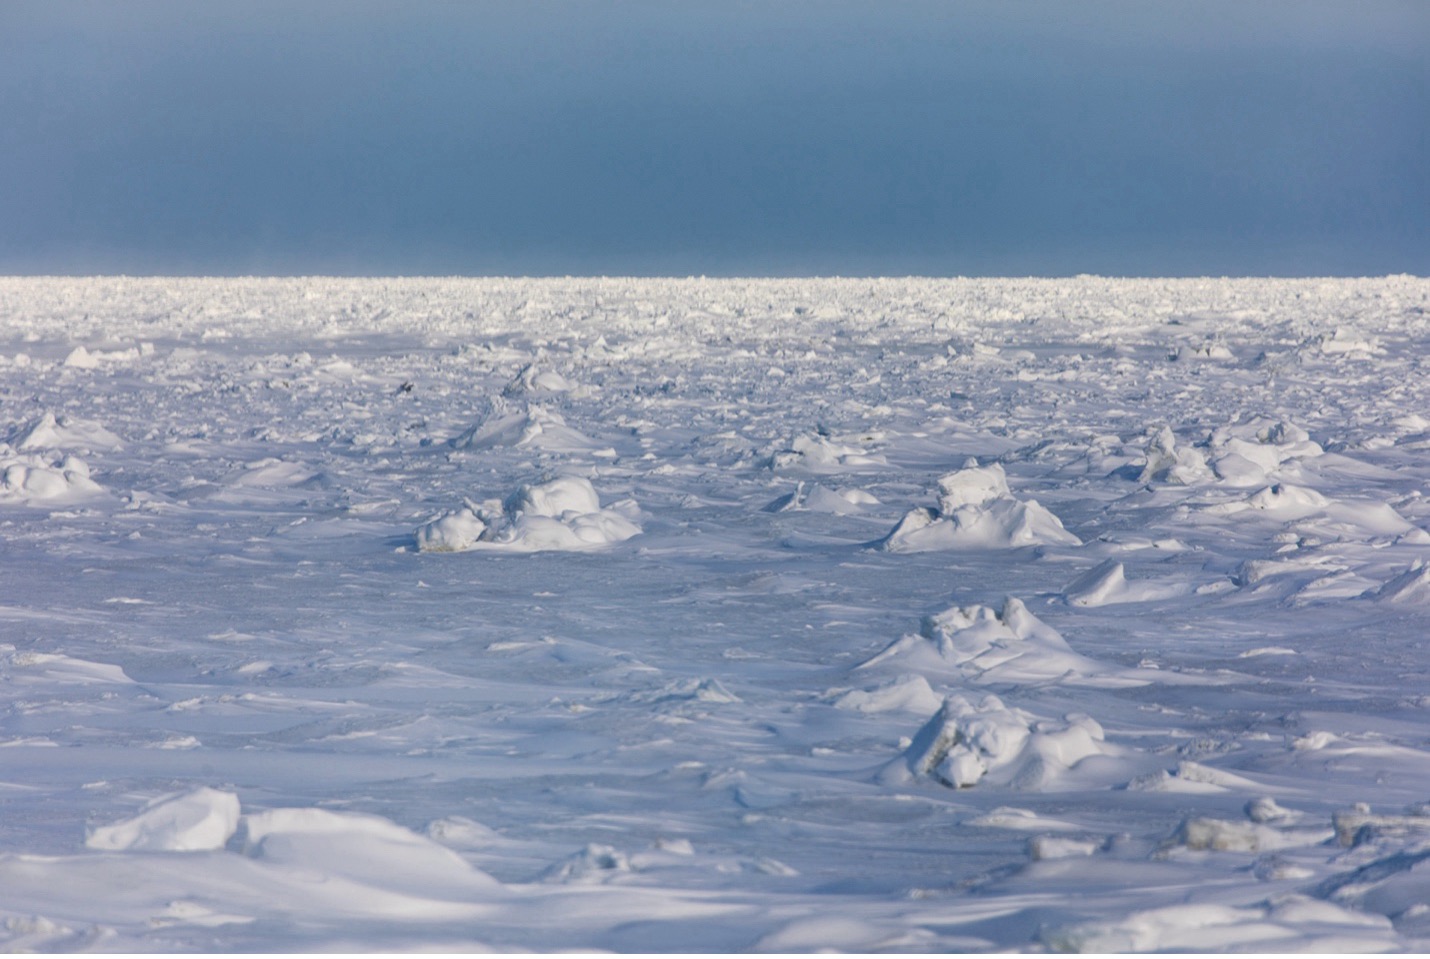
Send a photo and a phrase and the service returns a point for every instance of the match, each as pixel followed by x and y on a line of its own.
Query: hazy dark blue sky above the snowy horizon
pixel 720 138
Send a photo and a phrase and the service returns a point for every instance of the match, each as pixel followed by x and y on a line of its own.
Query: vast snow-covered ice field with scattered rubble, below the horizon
pixel 647 615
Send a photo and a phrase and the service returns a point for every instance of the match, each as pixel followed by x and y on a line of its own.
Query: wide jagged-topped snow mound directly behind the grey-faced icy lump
pixel 982 645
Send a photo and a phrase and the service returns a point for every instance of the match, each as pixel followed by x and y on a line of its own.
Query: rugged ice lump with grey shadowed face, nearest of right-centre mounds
pixel 965 745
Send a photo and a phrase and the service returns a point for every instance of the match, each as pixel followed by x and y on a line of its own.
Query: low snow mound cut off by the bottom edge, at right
pixel 1296 924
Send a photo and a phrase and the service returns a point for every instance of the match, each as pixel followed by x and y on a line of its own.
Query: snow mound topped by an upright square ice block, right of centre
pixel 977 511
